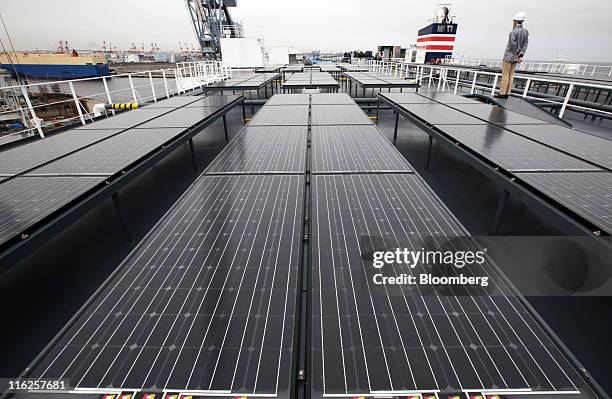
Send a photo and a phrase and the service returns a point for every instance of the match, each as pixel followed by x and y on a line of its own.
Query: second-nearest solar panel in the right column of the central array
pixel 354 148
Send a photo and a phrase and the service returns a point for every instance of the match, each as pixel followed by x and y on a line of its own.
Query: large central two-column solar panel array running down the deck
pixel 206 304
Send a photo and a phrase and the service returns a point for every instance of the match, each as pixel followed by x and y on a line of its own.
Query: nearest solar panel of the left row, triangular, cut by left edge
pixel 25 201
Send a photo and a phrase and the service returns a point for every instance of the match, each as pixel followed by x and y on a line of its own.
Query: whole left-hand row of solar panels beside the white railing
pixel 47 175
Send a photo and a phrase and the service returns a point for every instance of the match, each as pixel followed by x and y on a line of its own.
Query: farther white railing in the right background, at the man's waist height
pixel 569 68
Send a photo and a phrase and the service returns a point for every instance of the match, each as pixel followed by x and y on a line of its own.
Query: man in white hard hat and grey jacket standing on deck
pixel 515 50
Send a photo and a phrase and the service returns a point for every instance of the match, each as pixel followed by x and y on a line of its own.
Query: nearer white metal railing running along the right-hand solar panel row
pixel 448 77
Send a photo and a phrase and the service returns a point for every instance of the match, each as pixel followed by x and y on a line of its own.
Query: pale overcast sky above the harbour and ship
pixel 578 30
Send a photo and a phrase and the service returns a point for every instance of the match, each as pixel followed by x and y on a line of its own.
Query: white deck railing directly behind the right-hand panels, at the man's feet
pixel 558 94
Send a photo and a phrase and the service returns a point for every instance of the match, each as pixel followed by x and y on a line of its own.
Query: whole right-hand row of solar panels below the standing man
pixel 525 147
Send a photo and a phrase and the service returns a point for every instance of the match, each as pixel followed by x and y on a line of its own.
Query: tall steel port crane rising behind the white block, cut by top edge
pixel 211 21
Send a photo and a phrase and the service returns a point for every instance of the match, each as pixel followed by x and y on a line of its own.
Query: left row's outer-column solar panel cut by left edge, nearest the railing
pixel 27 156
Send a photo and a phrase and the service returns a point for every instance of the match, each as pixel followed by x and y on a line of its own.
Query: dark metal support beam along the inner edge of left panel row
pixel 14 250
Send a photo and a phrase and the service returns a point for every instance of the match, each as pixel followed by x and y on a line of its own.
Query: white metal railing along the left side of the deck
pixel 32 102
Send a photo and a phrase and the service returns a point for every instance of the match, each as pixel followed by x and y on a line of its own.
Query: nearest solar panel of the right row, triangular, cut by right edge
pixel 589 195
